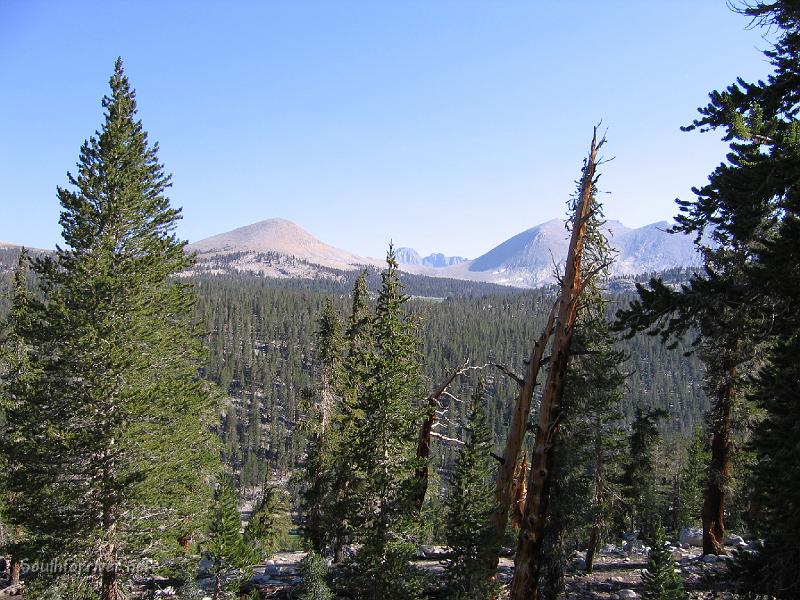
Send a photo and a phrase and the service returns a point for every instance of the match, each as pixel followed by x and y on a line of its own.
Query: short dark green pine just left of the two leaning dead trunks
pixel 470 507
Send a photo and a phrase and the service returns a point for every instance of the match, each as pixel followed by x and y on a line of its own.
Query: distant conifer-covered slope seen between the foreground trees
pixel 260 337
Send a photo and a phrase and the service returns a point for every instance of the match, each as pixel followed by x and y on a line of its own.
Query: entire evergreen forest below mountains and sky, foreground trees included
pixel 171 432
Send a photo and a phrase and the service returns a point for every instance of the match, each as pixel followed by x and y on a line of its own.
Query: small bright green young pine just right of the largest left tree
pixel 227 549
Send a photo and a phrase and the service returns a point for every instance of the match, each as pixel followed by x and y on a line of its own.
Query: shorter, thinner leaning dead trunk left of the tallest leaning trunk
pixel 504 486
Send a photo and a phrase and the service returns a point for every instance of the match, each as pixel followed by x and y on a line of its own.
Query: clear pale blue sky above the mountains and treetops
pixel 444 125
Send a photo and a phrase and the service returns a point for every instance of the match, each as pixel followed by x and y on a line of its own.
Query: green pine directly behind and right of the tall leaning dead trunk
pixel 588 457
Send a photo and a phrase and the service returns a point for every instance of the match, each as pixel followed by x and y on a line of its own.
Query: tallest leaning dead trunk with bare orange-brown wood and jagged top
pixel 527 564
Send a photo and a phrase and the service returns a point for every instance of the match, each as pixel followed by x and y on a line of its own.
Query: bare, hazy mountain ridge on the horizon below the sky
pixel 280 248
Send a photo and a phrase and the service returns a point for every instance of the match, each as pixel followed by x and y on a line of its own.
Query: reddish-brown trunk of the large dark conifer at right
pixel 719 469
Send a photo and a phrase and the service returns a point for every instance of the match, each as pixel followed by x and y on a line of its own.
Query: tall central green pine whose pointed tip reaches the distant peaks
pixel 384 445
